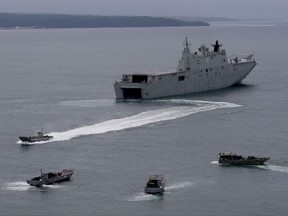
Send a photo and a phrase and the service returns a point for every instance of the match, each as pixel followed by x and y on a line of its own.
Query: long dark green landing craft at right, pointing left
pixel 229 158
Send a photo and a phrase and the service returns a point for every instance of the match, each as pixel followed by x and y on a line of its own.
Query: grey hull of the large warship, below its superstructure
pixel 179 83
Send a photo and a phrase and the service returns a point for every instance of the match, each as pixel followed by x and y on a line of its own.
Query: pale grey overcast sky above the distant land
pixel 258 9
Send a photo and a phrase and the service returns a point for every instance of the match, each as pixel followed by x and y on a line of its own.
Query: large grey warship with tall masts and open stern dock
pixel 199 71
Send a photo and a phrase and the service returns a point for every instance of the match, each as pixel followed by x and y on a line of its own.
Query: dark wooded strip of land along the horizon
pixel 13 20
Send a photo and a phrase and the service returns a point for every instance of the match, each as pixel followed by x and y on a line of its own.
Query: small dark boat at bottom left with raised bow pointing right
pixel 51 178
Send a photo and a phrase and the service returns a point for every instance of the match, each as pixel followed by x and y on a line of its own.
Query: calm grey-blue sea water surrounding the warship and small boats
pixel 62 81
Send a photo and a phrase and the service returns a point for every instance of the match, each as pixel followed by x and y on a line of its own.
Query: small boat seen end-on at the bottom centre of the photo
pixel 155 185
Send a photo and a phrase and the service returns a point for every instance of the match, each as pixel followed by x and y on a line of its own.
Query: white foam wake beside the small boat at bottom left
pixel 23 186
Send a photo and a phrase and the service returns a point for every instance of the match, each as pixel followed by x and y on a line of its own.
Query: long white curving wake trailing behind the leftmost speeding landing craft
pixel 177 109
